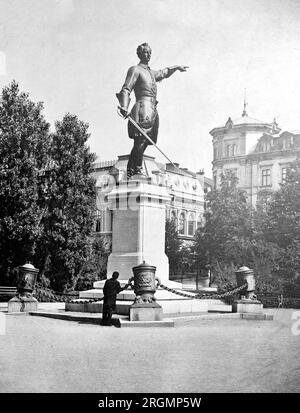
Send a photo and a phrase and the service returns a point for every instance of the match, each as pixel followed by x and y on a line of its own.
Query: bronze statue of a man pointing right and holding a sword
pixel 142 80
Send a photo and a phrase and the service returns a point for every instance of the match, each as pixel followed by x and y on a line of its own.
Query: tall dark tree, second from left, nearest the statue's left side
pixel 66 244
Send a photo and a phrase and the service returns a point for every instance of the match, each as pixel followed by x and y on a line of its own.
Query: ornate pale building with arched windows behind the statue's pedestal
pixel 185 187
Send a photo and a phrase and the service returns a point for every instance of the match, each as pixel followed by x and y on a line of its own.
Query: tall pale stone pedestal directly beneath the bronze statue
pixel 138 233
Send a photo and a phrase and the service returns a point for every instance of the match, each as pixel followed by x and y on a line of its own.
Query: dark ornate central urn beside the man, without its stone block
pixel 144 283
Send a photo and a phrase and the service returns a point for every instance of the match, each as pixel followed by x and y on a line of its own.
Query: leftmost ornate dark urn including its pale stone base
pixel 24 300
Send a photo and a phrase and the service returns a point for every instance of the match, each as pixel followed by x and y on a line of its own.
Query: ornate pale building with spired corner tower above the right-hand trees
pixel 256 151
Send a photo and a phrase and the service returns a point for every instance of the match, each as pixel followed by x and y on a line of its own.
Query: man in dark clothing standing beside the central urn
pixel 111 288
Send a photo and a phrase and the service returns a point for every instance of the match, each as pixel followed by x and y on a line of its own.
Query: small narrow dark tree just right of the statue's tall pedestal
pixel 172 245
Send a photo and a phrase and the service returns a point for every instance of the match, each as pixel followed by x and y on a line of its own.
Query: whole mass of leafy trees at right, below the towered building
pixel 266 239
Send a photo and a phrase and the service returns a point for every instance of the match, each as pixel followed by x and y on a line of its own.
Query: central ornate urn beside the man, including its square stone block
pixel 144 285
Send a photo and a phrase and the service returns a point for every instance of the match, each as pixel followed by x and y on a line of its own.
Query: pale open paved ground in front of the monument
pixel 46 355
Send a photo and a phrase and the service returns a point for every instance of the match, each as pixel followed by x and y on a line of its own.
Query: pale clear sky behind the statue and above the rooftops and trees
pixel 73 55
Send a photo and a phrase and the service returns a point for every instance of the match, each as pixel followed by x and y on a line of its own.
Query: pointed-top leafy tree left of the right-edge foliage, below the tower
pixel 230 239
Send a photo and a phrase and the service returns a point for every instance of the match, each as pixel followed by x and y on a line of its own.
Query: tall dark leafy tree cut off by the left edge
pixel 24 149
